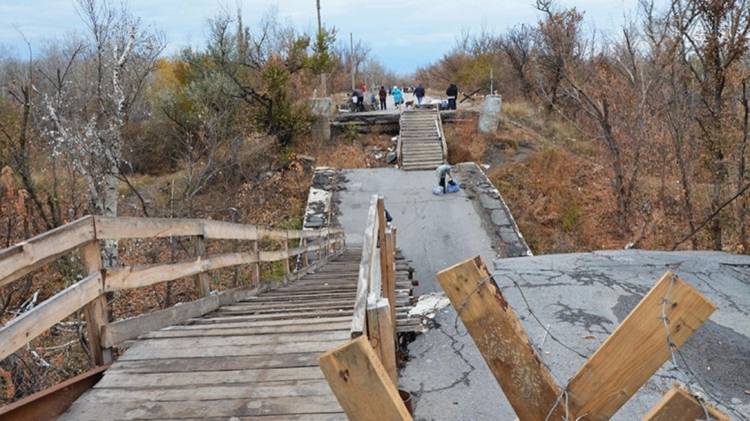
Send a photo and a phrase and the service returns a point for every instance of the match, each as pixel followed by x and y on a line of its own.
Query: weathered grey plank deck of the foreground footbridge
pixel 255 359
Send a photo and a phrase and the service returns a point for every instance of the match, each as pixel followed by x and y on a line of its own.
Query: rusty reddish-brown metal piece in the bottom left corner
pixel 52 402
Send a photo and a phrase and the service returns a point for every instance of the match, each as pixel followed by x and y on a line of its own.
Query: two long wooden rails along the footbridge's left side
pixel 20 259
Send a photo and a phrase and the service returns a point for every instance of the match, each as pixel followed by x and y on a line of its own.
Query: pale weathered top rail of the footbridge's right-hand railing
pixel 365 270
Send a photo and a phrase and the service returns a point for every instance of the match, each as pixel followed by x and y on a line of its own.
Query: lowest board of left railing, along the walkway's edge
pixel 122 330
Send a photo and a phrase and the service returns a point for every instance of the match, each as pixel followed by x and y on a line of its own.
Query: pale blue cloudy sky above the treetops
pixel 403 34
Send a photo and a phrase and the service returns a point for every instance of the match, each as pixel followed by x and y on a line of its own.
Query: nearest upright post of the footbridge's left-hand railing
pixel 96 310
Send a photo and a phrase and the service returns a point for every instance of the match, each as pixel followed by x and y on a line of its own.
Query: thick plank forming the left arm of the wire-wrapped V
pixel 501 339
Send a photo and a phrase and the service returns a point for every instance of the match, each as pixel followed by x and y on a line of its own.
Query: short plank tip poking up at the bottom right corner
pixel 679 405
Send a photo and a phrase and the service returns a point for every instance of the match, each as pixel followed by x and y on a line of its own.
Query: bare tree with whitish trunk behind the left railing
pixel 92 98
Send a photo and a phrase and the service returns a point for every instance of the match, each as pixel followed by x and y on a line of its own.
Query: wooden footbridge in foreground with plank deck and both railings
pixel 244 353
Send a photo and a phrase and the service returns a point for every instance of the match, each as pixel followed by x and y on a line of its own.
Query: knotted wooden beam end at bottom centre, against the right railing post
pixel 361 384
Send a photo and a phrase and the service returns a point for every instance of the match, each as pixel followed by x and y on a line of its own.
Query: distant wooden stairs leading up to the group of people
pixel 421 140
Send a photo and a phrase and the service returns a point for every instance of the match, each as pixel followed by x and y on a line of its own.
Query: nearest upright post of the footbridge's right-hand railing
pixel 380 331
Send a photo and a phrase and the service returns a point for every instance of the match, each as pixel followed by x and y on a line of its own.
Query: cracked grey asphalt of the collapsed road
pixel 581 298
